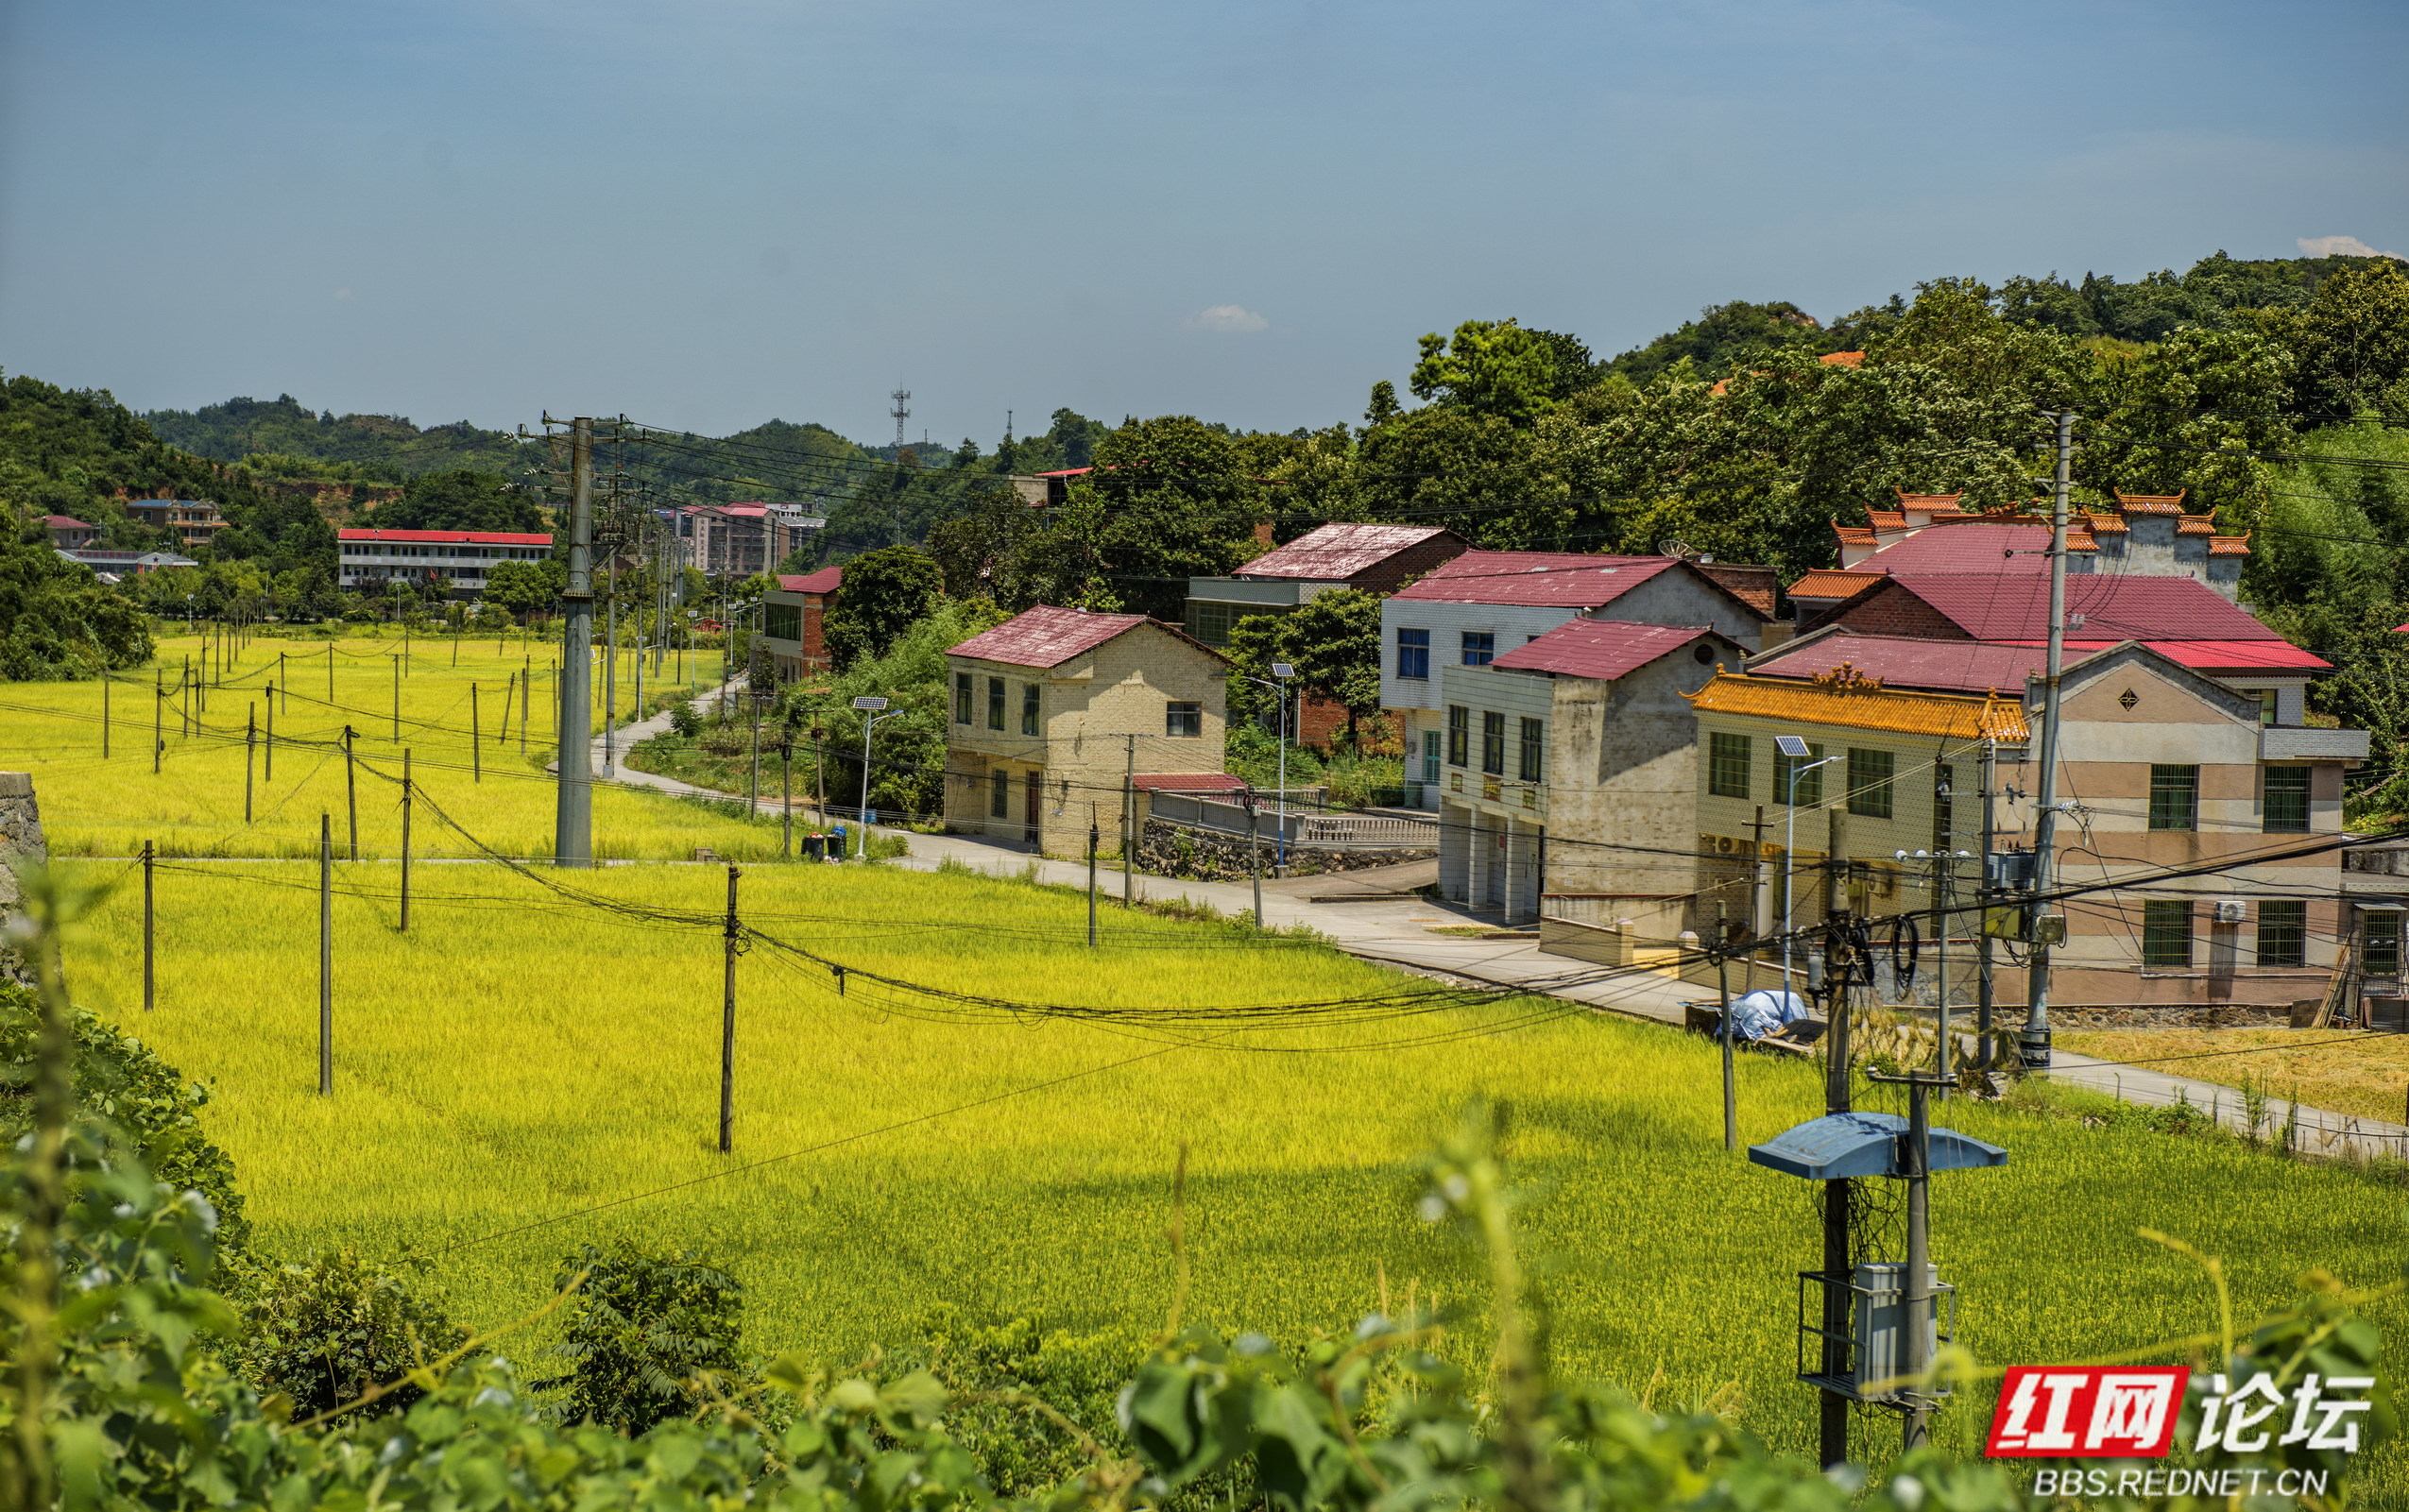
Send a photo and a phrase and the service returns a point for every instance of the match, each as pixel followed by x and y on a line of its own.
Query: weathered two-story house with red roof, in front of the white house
pixel 1567 772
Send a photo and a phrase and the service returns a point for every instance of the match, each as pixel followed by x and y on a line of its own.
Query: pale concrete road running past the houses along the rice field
pixel 1379 916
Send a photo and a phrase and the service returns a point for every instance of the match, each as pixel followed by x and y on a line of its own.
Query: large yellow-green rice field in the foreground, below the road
pixel 519 1061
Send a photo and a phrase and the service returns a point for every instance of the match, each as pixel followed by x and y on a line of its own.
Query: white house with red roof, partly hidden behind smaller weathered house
pixel 1480 606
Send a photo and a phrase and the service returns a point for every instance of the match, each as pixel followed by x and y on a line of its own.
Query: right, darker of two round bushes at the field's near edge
pixel 649 1335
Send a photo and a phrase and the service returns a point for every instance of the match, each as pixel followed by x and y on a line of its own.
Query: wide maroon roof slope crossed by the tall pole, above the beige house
pixel 2128 608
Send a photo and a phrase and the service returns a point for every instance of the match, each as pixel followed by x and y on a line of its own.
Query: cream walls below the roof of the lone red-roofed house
pixel 1097 711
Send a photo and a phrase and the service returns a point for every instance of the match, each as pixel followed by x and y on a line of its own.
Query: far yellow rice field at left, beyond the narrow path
pixel 194 805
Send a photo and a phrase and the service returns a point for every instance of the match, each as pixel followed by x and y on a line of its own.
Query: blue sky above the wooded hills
pixel 729 211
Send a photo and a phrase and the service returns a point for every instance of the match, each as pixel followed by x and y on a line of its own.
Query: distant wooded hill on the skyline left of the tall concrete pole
pixel 360 447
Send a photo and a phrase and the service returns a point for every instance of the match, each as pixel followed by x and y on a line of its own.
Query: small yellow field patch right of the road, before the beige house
pixel 2340 1070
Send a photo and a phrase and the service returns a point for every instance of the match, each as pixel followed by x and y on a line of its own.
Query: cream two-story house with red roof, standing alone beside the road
pixel 1061 714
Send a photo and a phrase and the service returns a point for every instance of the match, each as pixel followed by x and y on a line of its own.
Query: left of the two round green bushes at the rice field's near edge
pixel 326 1330
